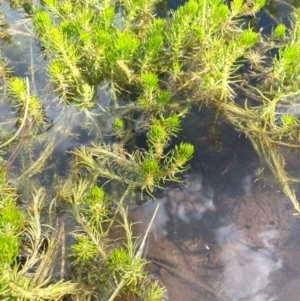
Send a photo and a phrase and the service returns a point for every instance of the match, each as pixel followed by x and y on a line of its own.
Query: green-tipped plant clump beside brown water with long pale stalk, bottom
pixel 117 267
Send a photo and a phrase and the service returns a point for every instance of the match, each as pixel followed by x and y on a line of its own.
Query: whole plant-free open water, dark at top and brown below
pixel 225 235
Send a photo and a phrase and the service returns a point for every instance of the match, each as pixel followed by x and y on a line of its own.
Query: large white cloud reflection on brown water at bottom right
pixel 246 271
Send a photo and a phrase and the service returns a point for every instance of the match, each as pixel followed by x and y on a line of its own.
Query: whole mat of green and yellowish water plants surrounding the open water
pixel 107 73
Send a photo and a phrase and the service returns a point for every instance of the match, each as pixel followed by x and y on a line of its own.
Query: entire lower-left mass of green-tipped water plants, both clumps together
pixel 33 252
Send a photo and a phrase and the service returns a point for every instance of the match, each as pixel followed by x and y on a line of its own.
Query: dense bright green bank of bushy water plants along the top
pixel 142 45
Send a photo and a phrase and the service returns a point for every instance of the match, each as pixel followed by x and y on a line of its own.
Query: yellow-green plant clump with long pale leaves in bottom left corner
pixel 27 254
